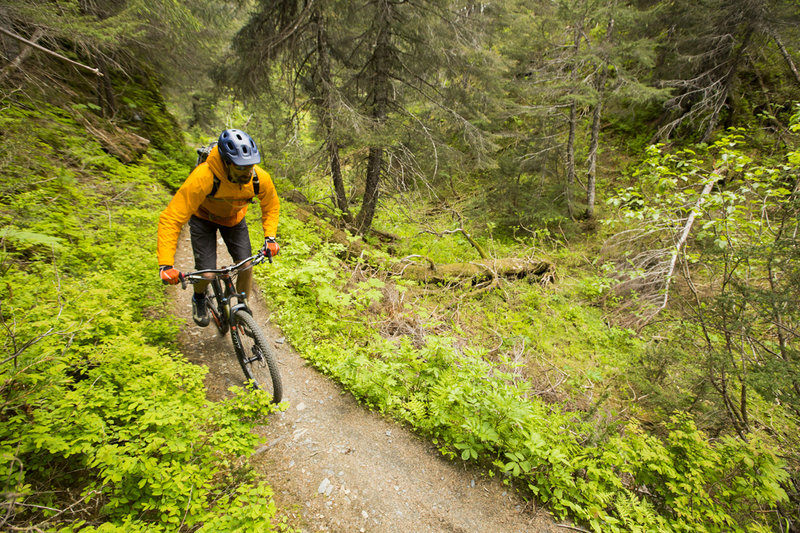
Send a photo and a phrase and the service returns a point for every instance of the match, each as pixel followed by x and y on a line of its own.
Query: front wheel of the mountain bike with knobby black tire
pixel 255 356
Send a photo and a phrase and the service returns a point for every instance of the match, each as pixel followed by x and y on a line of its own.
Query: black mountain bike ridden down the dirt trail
pixel 229 311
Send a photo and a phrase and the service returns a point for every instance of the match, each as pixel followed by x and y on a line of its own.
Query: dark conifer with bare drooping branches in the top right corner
pixel 713 48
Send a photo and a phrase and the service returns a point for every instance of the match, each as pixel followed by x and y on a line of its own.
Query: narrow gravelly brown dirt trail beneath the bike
pixel 336 466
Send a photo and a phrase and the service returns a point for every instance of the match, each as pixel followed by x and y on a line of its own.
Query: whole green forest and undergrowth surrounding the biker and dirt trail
pixel 640 158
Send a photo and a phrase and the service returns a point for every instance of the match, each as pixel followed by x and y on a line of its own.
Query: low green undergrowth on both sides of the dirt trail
pixel 101 419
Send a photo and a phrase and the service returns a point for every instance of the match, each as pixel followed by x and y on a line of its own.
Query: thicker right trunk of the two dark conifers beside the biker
pixel 380 104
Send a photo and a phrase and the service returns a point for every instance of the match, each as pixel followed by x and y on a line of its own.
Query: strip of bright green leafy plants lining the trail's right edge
pixel 477 410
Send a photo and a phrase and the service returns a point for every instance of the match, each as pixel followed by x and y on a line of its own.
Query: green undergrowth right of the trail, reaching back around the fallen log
pixel 532 381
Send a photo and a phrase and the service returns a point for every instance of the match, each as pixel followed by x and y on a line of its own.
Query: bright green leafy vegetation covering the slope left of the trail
pixel 104 426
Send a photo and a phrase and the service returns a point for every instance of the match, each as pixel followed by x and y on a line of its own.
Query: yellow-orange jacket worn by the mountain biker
pixel 227 207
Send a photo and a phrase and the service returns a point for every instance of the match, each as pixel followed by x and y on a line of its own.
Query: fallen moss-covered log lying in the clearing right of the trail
pixel 478 271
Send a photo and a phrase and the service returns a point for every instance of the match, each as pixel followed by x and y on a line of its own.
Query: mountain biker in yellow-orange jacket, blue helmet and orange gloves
pixel 214 198
